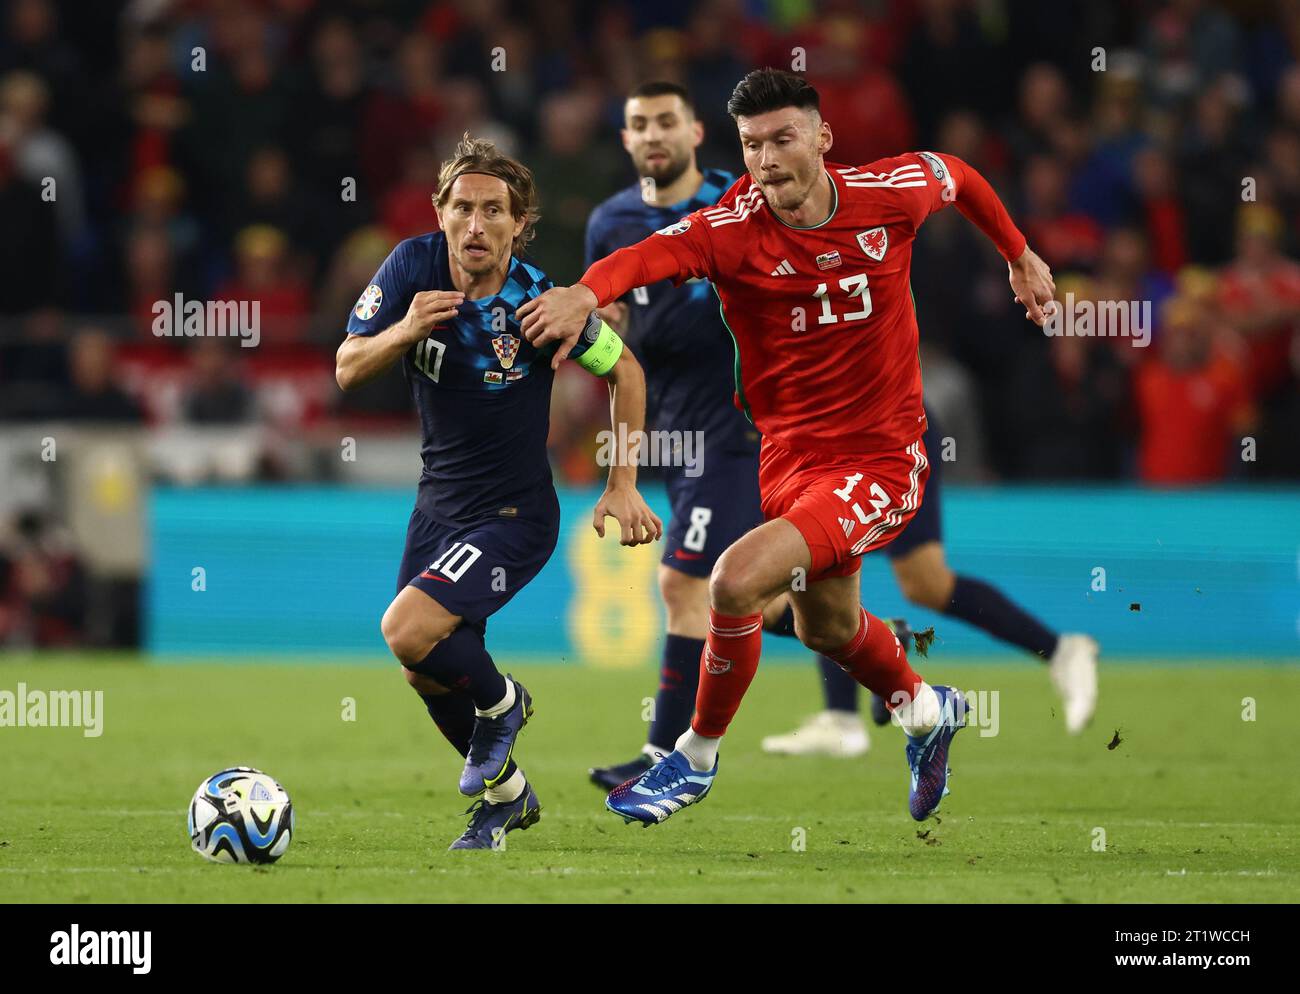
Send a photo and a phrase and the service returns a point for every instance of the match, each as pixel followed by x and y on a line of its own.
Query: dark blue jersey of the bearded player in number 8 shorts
pixel 677 333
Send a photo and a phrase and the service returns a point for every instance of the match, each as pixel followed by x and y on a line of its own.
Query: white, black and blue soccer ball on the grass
pixel 241 815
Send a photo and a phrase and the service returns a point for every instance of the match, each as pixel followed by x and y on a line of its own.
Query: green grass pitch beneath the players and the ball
pixel 1197 804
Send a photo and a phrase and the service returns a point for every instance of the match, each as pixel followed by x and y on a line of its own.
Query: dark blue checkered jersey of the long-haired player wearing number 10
pixel 482 390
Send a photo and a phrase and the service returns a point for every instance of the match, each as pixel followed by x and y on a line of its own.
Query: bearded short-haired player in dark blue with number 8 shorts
pixel 688 355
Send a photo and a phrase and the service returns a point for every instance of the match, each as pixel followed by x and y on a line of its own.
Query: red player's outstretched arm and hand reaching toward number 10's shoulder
pixel 561 314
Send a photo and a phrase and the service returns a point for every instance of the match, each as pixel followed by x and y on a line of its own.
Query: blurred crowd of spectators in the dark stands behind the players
pixel 276 151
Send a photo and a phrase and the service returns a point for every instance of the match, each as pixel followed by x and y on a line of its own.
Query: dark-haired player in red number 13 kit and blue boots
pixel 812 263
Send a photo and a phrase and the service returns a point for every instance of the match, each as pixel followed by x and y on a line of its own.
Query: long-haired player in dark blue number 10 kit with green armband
pixel 487 516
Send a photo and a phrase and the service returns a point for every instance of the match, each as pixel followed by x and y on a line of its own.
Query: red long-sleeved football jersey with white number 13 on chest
pixel 824 319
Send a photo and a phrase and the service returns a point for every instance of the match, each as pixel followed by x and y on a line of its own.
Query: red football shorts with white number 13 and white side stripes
pixel 843 506
